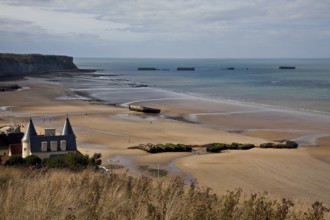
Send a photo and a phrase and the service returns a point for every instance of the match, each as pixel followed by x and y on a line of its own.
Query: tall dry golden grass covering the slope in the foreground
pixel 60 194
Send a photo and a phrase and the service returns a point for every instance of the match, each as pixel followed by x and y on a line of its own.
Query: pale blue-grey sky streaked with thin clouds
pixel 167 28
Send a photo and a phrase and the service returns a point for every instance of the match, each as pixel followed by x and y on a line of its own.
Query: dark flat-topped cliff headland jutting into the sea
pixel 12 64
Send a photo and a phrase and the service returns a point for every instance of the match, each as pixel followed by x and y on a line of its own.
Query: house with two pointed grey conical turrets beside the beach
pixel 49 144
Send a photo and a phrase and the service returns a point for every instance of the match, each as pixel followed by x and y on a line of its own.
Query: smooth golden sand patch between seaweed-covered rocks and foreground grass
pixel 290 173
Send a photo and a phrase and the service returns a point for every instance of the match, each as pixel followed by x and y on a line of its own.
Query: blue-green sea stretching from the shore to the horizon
pixel 257 81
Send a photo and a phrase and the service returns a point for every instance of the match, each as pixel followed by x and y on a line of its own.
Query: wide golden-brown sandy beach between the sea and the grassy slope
pixel 300 174
